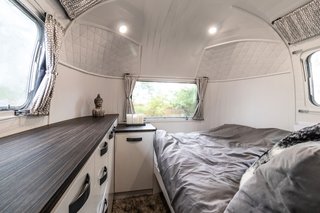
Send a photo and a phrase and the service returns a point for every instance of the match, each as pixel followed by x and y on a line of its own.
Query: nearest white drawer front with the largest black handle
pixel 79 192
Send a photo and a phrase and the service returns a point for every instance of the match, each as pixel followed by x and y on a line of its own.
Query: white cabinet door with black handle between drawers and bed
pixel 133 161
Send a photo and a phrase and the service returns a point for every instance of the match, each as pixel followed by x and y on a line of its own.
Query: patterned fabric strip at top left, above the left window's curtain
pixel 74 8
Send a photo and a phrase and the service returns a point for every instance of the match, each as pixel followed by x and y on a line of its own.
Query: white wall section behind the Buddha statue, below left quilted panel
pixel 75 91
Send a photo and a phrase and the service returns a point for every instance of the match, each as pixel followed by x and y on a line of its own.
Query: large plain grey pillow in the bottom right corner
pixel 289 182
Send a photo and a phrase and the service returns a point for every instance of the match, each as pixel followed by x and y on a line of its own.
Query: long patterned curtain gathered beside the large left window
pixel 40 104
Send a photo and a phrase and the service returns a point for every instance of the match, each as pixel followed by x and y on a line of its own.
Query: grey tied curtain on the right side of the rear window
pixel 201 86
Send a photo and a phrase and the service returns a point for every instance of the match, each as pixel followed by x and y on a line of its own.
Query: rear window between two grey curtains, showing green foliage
pixel 158 99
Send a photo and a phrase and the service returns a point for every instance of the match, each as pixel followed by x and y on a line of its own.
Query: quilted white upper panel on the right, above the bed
pixel 244 59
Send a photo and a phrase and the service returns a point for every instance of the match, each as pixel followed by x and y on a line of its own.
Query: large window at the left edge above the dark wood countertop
pixel 20 36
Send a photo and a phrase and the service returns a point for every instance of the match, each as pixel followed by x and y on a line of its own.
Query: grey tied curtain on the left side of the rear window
pixel 129 83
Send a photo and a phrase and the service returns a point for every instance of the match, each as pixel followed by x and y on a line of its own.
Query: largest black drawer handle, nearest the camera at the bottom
pixel 82 198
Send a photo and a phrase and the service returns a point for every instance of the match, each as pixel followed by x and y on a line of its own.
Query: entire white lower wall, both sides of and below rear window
pixel 259 102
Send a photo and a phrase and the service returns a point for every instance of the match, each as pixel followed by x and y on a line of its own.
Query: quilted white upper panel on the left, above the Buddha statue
pixel 100 51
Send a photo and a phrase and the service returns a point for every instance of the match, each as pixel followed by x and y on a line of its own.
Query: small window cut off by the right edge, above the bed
pixel 313 64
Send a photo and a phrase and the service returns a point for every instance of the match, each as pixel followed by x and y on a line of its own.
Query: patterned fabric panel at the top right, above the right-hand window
pixel 301 24
